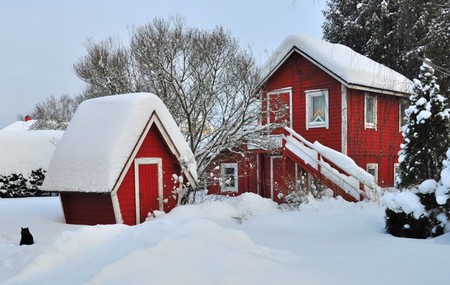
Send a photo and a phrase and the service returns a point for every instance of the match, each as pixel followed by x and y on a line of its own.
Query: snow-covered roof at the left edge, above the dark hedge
pixel 22 151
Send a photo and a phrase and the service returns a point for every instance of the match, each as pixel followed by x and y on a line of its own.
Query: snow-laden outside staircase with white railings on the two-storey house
pixel 334 169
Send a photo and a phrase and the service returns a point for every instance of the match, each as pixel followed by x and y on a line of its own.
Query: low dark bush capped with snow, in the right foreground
pixel 421 212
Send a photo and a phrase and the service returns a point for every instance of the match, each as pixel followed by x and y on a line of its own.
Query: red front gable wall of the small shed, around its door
pixel 153 146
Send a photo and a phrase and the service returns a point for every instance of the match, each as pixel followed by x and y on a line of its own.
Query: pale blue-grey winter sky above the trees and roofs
pixel 41 40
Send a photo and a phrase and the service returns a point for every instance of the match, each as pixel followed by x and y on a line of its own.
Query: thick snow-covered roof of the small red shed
pixel 101 138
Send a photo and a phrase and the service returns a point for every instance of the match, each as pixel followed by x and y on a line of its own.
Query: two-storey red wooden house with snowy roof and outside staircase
pixel 329 94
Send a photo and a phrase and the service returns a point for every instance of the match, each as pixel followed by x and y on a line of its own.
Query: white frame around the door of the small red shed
pixel 141 161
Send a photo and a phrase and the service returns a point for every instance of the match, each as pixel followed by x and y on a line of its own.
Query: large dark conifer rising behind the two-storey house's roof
pixel 396 33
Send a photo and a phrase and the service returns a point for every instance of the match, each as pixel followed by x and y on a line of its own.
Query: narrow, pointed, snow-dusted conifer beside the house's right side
pixel 425 136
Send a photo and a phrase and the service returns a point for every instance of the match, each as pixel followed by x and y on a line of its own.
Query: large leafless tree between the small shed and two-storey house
pixel 206 80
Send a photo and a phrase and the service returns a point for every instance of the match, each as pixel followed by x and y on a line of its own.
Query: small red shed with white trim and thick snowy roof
pixel 119 160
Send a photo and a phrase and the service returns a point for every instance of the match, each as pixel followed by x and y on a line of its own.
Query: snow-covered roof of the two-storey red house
pixel 347 66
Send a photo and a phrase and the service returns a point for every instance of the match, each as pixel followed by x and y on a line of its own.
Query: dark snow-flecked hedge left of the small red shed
pixel 16 185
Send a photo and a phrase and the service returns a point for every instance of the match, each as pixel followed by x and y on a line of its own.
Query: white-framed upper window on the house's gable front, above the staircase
pixel 316 109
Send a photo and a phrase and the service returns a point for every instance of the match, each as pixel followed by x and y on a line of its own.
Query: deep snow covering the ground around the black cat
pixel 240 240
